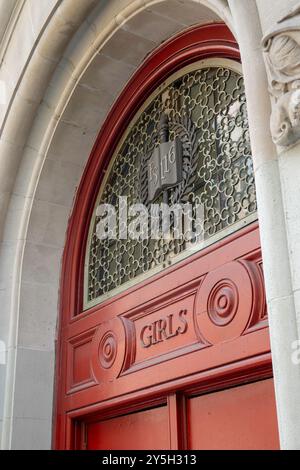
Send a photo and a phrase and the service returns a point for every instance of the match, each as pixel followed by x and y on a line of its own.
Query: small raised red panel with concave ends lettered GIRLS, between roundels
pixel 161 331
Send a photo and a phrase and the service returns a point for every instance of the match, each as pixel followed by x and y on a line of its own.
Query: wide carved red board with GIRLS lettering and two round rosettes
pixel 150 329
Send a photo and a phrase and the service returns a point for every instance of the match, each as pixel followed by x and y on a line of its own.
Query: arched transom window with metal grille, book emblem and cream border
pixel 187 150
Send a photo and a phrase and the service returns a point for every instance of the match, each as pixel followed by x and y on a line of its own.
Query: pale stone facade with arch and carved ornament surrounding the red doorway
pixel 63 63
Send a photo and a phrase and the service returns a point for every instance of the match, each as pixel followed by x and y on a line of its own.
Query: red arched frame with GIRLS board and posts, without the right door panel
pixel 148 364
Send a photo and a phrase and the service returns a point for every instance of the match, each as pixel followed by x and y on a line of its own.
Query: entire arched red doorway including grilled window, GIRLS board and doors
pixel 165 345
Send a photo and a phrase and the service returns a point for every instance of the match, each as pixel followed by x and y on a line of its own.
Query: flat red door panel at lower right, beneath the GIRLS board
pixel 243 417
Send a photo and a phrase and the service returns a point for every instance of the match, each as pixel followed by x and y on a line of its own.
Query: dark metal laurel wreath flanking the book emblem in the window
pixel 186 130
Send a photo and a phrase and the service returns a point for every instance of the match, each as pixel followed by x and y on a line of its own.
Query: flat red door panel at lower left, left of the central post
pixel 142 430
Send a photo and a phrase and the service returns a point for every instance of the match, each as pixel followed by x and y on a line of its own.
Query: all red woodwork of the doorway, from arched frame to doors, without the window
pixel 181 359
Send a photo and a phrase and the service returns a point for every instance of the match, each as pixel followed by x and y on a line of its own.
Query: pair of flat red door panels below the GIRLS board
pixel 239 418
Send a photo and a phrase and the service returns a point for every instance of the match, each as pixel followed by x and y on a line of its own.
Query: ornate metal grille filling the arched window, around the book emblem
pixel 205 106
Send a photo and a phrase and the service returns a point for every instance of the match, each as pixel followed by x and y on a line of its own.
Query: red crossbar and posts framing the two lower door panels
pixel 174 397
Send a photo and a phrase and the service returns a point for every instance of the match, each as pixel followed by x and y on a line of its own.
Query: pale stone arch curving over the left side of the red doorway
pixel 74 103
